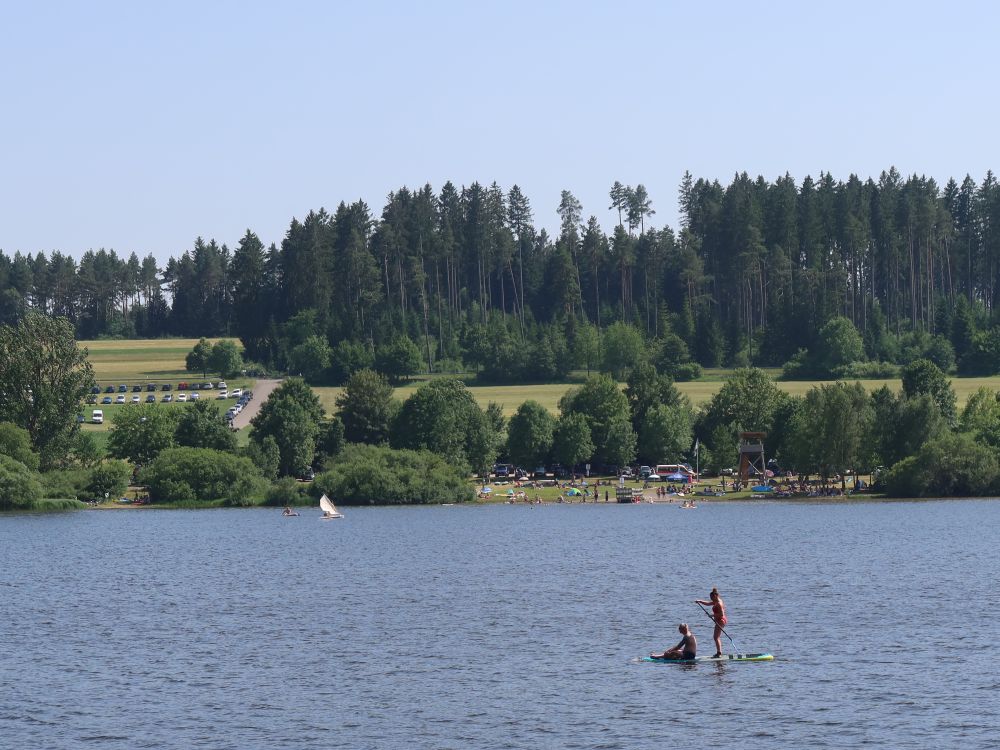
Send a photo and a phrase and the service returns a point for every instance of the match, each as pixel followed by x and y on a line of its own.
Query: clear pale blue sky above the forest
pixel 139 127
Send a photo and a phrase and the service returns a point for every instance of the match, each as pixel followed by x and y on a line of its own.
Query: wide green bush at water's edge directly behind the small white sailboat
pixel 373 475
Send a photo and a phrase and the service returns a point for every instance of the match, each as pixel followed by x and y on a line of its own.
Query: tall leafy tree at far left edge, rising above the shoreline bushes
pixel 43 379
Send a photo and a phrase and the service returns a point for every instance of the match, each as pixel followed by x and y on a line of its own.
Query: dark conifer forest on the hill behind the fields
pixel 753 273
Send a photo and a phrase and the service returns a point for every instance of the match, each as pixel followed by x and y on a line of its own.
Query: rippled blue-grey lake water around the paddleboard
pixel 500 627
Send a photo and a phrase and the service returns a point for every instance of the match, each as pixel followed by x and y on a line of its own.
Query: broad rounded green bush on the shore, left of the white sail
pixel 202 474
